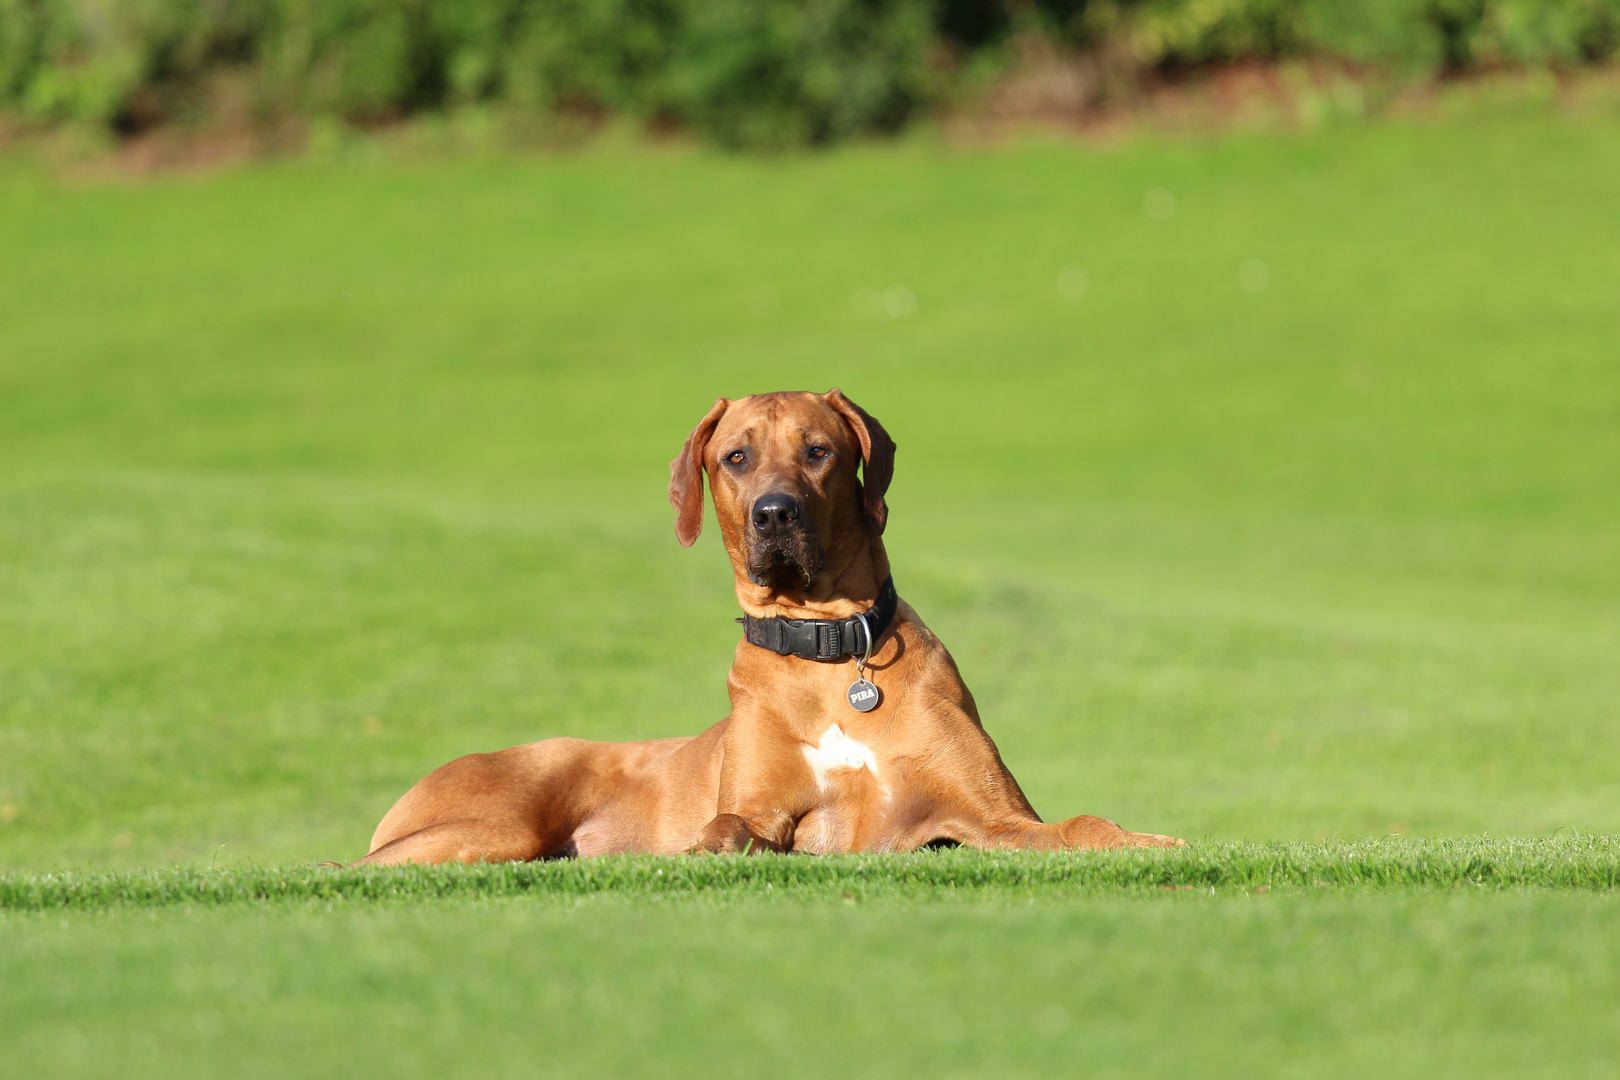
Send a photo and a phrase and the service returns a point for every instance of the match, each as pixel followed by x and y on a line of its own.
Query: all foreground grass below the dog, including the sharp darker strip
pixel 1400 958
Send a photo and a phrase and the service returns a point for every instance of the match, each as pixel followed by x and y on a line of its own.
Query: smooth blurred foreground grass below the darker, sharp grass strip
pixel 1409 985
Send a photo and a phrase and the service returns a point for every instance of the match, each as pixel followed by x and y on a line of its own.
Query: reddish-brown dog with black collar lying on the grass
pixel 850 729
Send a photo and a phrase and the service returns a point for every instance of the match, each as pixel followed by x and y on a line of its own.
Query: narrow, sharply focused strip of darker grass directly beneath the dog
pixel 1577 864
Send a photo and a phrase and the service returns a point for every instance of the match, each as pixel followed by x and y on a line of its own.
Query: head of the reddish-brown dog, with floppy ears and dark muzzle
pixel 783 474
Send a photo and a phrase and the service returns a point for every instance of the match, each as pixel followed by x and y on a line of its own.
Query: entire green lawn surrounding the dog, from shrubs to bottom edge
pixel 315 477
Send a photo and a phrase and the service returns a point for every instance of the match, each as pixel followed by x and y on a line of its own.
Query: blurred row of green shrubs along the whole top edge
pixel 741 72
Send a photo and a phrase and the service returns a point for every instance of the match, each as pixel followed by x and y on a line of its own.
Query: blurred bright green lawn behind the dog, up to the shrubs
pixel 1264 487
